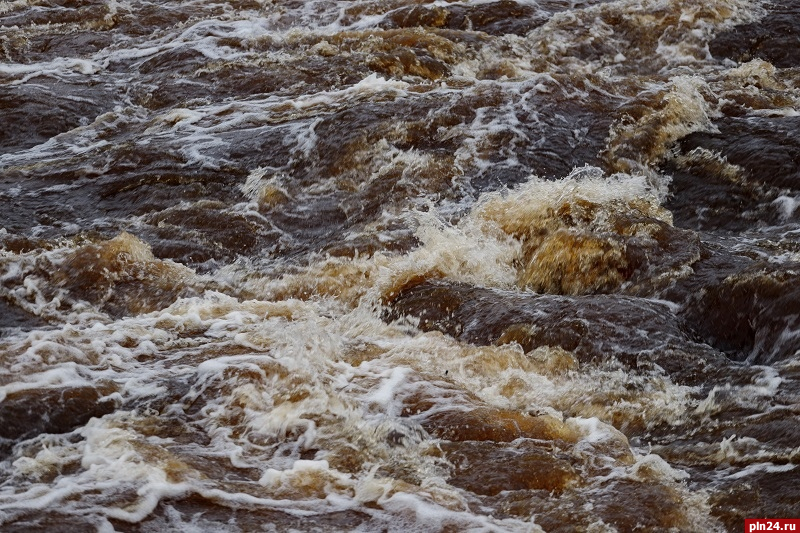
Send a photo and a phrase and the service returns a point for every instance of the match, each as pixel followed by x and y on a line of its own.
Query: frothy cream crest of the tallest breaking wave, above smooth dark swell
pixel 480 250
